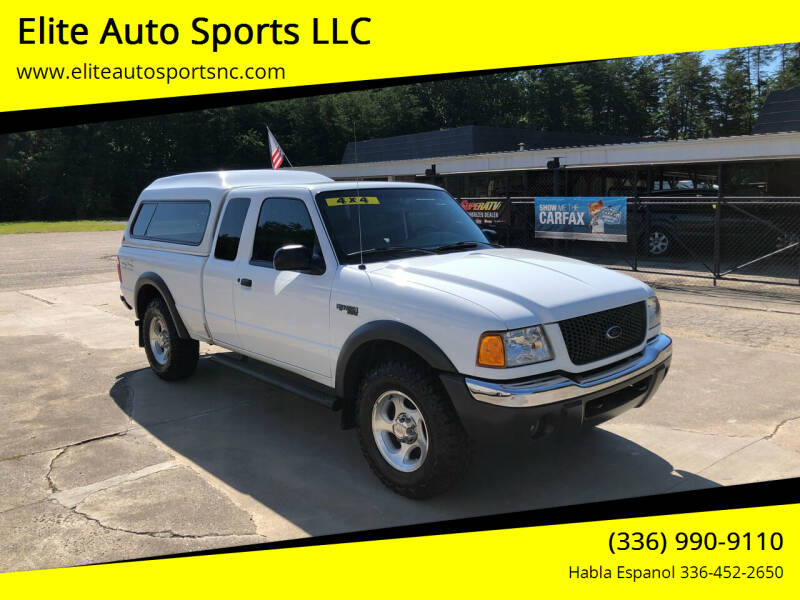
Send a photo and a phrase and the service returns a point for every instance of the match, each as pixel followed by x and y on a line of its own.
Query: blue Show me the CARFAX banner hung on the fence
pixel 602 219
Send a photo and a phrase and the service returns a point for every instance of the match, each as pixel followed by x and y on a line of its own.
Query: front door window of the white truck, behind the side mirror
pixel 283 221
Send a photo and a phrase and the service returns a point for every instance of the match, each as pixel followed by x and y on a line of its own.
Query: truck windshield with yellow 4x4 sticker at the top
pixel 396 222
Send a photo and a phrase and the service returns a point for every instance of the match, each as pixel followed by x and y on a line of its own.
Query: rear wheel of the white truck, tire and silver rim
pixel 169 356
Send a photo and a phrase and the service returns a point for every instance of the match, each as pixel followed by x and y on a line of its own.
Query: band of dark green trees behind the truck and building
pixel 98 170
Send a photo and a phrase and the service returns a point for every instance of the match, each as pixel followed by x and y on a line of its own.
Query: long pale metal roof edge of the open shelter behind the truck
pixel 770 146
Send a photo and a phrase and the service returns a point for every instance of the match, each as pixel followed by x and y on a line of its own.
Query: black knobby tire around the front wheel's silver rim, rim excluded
pixel 449 447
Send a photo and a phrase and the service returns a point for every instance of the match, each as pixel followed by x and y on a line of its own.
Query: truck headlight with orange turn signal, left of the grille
pixel 513 348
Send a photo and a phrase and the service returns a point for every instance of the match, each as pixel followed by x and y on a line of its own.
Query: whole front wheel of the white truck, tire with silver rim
pixel 409 431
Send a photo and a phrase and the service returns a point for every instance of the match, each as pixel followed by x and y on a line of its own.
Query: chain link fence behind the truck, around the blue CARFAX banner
pixel 736 238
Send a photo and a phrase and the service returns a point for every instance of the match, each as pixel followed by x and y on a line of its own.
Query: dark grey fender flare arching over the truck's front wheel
pixel 390 331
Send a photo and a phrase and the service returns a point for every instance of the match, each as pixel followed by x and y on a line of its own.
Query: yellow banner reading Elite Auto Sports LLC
pixel 62 54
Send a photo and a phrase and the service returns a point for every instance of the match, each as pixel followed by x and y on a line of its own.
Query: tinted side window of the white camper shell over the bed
pixel 181 222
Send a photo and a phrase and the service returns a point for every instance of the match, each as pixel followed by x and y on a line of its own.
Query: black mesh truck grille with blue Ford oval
pixel 592 337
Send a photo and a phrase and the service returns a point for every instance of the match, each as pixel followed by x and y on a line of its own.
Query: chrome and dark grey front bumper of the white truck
pixel 559 401
